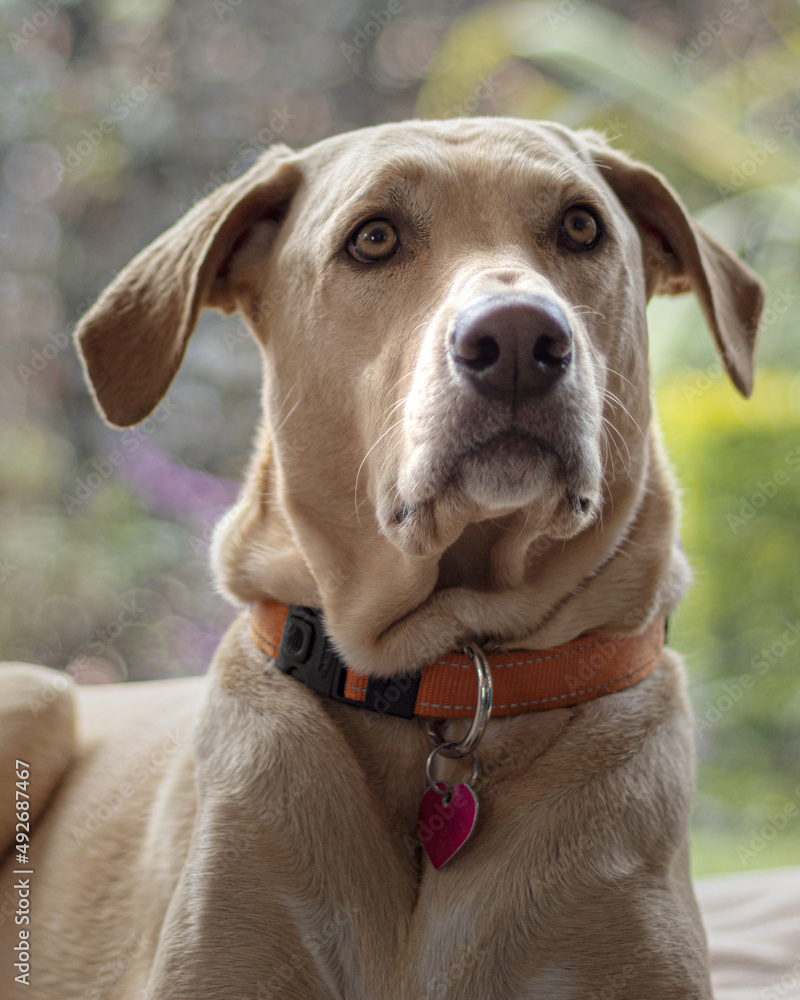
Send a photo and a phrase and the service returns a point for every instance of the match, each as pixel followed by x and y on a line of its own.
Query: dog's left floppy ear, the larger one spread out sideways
pixel 132 341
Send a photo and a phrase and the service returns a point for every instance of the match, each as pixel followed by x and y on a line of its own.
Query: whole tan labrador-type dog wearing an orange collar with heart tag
pixel 457 451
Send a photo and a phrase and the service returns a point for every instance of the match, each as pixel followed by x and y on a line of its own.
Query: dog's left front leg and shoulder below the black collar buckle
pixel 287 890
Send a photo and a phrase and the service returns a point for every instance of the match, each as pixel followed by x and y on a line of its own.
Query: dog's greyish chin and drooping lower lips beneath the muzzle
pixel 508 474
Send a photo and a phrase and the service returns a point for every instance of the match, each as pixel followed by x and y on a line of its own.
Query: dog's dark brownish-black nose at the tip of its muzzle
pixel 512 347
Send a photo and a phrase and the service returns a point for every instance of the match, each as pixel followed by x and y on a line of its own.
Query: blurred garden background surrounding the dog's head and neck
pixel 117 115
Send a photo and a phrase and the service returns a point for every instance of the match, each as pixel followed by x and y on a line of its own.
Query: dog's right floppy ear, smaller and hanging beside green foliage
pixel 679 256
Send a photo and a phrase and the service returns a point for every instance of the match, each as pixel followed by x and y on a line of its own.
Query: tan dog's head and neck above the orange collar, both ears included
pixel 456 440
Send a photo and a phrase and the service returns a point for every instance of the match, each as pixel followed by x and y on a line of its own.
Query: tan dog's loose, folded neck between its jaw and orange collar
pixel 618 576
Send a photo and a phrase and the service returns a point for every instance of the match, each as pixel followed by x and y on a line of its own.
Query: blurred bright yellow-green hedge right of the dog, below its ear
pixel 738 463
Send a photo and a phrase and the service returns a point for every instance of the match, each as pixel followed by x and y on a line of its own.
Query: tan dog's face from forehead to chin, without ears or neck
pixel 465 317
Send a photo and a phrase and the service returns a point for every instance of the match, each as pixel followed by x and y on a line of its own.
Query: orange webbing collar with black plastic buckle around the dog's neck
pixel 523 680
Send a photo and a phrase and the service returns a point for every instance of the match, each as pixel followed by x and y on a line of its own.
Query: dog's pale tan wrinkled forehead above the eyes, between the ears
pixel 461 161
